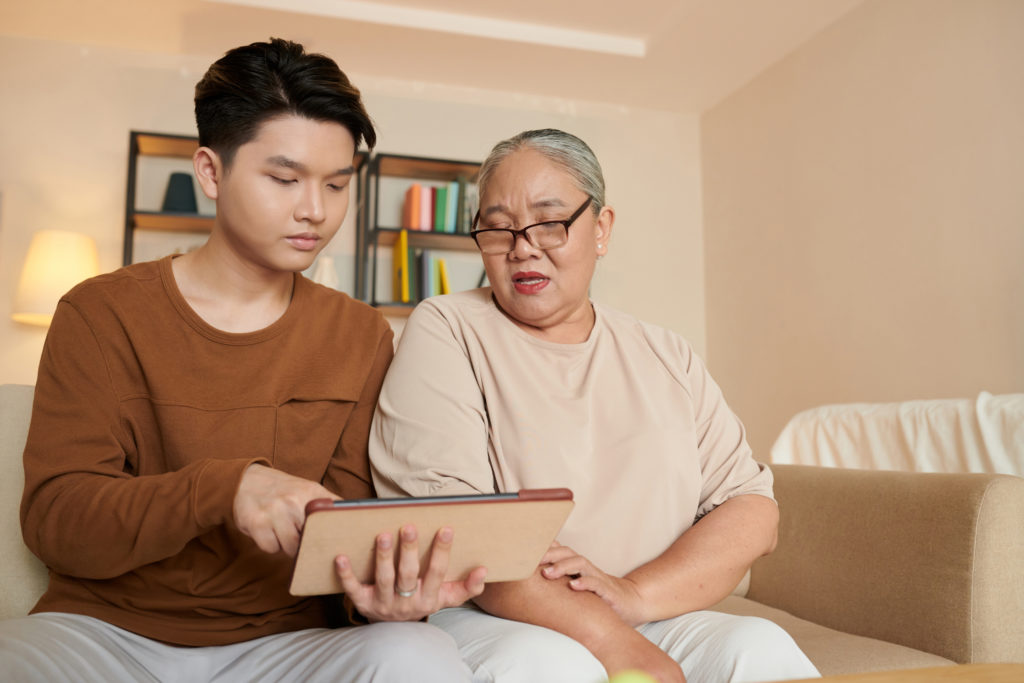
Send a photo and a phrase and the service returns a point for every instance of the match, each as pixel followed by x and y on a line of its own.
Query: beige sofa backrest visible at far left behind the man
pixel 23 576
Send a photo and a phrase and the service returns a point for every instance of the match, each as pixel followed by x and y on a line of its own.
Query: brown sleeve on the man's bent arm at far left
pixel 86 511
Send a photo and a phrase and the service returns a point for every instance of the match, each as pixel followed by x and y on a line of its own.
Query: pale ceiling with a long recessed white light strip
pixel 695 53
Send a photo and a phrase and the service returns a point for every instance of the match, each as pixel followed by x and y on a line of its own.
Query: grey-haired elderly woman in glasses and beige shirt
pixel 531 385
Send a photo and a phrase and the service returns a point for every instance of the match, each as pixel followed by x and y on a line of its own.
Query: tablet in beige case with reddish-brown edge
pixel 508 534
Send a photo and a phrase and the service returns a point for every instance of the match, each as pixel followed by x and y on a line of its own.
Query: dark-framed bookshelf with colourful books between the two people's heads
pixel 381 218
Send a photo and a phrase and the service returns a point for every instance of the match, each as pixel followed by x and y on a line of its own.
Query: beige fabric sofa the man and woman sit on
pixel 874 571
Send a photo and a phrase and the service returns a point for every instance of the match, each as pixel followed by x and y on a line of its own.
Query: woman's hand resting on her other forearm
pixel 622 595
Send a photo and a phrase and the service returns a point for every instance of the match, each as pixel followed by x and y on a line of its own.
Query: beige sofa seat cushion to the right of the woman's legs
pixel 834 652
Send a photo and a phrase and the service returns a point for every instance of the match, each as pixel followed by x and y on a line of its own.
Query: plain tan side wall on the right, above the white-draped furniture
pixel 865 215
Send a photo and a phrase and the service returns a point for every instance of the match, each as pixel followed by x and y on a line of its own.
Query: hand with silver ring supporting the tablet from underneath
pixel 403 595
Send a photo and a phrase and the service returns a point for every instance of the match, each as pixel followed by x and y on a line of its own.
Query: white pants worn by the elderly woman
pixel 711 648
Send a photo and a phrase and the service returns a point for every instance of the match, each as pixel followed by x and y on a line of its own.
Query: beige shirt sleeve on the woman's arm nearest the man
pixel 430 436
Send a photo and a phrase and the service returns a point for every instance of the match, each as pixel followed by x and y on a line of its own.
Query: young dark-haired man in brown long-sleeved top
pixel 187 410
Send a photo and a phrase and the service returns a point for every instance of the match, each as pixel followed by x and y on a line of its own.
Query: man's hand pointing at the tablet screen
pixel 271 507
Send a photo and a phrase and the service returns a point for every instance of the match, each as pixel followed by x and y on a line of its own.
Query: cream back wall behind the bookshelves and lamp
pixel 68 108
